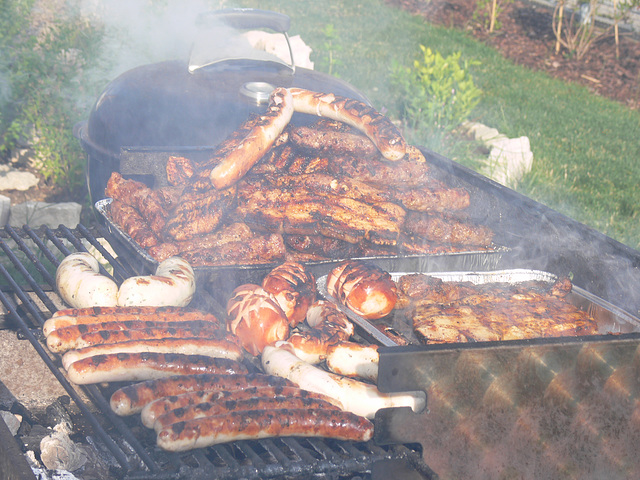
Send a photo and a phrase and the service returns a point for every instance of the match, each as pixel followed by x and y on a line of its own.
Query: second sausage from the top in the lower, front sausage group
pixel 162 406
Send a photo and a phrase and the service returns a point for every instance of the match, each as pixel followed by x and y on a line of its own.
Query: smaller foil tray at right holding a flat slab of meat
pixel 610 319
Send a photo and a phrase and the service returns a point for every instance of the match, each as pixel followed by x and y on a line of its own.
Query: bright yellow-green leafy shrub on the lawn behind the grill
pixel 437 92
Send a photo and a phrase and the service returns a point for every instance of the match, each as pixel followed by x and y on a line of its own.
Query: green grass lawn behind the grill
pixel 586 148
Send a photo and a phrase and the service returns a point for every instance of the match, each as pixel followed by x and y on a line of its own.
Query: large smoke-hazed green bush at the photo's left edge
pixel 44 68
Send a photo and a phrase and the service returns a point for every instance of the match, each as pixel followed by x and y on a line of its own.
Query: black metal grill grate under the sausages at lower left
pixel 27 291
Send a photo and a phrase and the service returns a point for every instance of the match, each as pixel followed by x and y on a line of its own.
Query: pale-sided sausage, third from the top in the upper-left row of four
pixel 217 348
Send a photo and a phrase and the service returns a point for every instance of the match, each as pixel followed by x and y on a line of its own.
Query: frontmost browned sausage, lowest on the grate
pixel 204 432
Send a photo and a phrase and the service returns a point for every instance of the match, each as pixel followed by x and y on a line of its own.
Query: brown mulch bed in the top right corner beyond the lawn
pixel 526 37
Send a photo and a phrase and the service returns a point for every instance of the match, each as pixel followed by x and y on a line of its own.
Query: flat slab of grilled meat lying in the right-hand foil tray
pixel 444 312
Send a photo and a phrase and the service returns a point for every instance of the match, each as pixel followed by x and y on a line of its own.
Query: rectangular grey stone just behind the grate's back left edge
pixel 52 215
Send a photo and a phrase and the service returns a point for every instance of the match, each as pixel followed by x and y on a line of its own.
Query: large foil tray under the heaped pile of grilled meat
pixel 222 279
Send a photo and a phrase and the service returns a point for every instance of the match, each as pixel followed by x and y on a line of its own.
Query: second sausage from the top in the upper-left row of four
pixel 68 339
